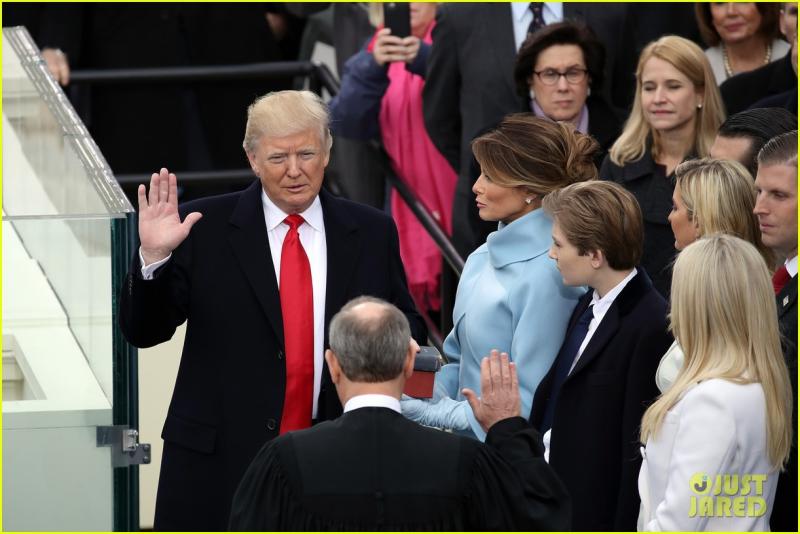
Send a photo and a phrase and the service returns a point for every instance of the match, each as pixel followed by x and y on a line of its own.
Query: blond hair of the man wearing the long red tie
pixel 284 113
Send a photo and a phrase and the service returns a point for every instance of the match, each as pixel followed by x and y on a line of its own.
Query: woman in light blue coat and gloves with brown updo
pixel 510 296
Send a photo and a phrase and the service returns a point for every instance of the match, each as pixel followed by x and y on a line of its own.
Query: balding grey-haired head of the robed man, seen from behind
pixel 370 339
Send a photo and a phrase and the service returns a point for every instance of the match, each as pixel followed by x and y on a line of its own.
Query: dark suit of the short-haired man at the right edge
pixel 784 511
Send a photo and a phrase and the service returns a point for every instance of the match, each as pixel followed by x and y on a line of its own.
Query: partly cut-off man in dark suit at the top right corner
pixel 743 90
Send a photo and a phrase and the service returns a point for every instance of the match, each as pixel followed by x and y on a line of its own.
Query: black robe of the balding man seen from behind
pixel 372 469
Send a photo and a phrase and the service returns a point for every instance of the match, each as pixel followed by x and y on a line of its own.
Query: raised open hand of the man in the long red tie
pixel 160 226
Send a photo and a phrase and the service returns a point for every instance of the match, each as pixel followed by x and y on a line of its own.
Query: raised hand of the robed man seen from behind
pixel 499 391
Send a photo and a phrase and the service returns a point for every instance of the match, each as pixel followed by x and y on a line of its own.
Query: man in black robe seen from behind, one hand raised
pixel 372 469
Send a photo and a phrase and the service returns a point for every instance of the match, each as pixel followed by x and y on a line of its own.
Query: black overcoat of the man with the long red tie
pixel 229 392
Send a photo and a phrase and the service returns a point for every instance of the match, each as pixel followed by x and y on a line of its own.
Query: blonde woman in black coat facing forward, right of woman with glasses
pixel 676 113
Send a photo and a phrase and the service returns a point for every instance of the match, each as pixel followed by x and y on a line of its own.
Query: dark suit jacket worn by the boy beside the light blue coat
pixel 594 445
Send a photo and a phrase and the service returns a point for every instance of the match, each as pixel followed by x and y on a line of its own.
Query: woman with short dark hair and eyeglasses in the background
pixel 559 73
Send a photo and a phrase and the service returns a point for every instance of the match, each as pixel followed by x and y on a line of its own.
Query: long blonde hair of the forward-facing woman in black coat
pixel 690 60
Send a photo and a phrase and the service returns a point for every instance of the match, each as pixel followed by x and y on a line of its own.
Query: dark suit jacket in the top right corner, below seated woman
pixel 744 89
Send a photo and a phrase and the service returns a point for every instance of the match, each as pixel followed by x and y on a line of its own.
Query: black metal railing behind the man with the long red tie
pixel 319 78
